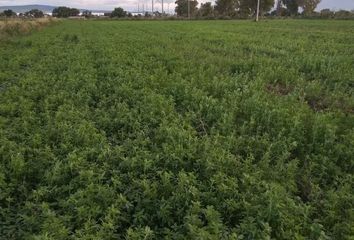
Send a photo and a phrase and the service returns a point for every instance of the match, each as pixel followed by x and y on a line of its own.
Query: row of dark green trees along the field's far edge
pixel 221 8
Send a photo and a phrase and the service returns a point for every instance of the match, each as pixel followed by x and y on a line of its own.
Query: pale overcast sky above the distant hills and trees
pixel 132 4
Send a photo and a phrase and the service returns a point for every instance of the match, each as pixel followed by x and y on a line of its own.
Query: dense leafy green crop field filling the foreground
pixel 178 130
